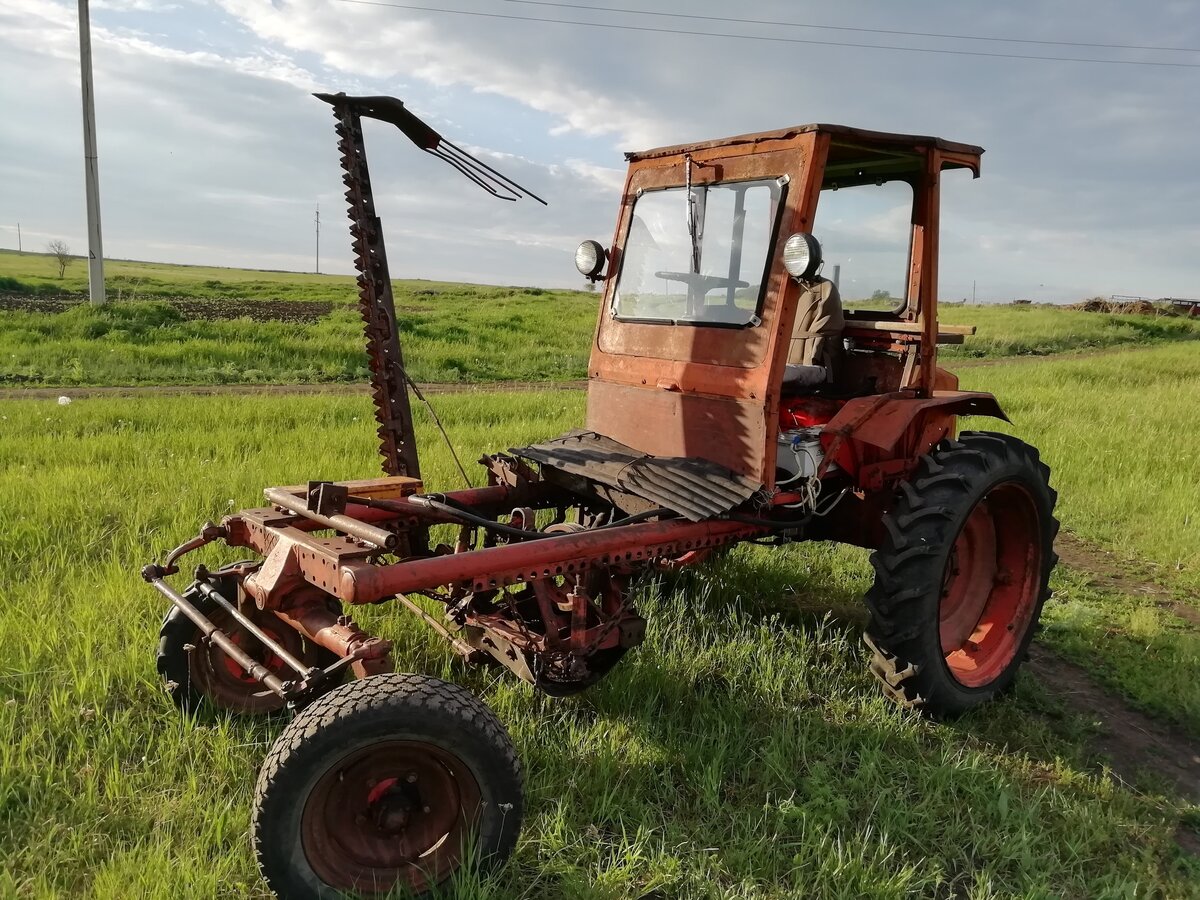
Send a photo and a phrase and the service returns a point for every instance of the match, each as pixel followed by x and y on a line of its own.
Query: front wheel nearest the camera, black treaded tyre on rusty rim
pixel 389 784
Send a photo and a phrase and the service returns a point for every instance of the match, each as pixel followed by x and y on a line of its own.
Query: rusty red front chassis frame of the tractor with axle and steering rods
pixel 567 623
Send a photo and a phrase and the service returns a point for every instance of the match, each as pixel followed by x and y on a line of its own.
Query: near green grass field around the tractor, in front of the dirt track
pixel 742 753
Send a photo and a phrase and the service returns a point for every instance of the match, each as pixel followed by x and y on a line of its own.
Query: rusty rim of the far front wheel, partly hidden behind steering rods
pixel 227 685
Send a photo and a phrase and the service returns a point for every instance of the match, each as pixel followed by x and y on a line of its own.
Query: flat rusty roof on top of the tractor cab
pixel 856 155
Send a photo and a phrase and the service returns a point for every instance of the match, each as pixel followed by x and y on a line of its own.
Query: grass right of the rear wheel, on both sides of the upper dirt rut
pixel 1121 435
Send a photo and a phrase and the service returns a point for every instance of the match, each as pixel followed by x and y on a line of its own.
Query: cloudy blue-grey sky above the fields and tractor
pixel 213 151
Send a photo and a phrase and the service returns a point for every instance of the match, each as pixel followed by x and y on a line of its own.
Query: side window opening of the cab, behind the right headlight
pixel 865 233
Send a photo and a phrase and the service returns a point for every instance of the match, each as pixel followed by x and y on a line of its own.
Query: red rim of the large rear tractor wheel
pixel 991 586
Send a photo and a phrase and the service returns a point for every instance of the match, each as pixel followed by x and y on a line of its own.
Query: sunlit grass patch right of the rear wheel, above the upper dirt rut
pixel 1123 437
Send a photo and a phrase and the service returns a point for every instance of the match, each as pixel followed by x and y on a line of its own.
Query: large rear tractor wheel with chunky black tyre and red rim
pixel 963 574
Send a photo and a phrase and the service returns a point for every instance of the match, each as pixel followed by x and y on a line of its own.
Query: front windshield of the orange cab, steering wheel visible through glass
pixel 705 266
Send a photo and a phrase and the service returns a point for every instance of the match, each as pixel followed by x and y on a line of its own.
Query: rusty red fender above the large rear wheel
pixel 879 440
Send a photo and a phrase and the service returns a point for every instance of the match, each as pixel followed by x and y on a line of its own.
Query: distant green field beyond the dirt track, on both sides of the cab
pixel 451 333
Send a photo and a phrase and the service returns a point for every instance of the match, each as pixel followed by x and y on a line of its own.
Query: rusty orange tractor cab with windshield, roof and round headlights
pixel 718 310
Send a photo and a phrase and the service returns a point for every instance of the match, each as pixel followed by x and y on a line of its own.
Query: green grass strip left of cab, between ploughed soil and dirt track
pixel 464 334
